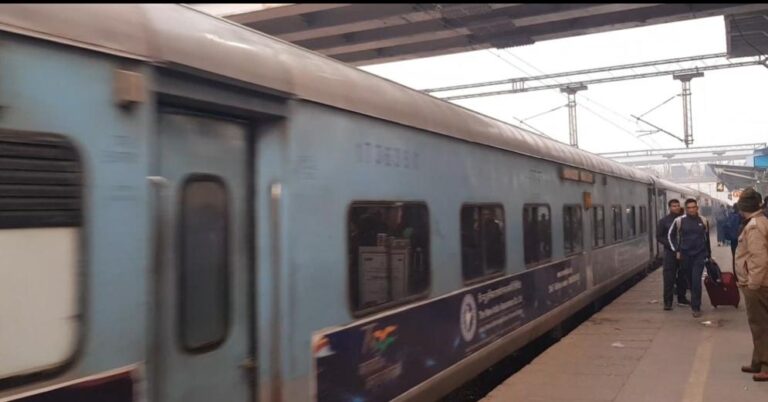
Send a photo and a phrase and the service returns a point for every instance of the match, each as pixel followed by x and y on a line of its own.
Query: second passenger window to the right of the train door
pixel 482 241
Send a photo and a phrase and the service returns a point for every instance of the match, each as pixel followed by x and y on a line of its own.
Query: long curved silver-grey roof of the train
pixel 180 35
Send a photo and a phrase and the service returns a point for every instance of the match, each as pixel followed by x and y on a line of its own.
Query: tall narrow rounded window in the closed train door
pixel 203 262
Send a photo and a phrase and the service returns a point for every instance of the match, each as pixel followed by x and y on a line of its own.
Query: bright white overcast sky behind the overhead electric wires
pixel 728 105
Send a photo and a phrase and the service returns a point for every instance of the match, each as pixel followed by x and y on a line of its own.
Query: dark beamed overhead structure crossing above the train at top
pixel 362 34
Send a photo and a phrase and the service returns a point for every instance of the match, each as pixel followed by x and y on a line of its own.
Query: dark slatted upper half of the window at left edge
pixel 40 181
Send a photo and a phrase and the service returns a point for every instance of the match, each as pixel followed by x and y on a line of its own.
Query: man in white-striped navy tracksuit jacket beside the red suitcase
pixel 689 238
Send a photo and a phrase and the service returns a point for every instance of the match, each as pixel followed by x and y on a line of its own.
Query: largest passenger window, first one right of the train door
pixel 388 253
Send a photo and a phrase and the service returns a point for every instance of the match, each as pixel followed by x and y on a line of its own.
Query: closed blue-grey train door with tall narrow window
pixel 203 330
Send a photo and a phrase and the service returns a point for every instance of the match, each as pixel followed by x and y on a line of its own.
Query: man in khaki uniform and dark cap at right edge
pixel 752 276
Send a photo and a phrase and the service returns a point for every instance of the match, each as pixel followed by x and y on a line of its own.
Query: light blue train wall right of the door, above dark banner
pixel 337 158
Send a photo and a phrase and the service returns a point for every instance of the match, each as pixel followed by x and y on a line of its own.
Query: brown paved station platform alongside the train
pixel 633 351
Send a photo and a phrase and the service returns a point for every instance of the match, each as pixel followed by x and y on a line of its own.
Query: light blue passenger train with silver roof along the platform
pixel 191 210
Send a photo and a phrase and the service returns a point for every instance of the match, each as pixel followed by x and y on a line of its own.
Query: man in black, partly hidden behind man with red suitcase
pixel 673 275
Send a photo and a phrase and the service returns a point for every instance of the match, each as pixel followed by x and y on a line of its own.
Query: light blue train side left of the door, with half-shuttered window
pixel 100 271
